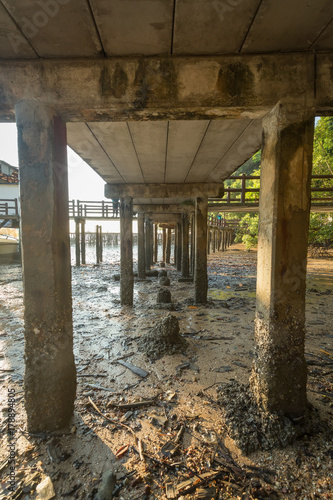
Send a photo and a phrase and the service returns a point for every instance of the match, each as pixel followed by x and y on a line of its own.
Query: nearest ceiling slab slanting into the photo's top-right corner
pixel 287 25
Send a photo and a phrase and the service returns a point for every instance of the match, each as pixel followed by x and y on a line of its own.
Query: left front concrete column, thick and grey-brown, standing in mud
pixel 50 379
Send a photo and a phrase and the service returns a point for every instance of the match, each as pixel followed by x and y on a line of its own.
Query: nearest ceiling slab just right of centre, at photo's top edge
pixel 212 27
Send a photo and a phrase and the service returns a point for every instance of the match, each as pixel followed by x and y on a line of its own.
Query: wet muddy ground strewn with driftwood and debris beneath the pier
pixel 129 444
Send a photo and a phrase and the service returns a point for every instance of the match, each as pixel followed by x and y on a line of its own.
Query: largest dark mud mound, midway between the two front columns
pixel 164 338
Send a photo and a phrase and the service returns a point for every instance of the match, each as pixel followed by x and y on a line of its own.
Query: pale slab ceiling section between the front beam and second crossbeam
pixel 173 152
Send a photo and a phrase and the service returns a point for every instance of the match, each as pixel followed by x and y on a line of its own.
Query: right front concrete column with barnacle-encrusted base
pixel 279 375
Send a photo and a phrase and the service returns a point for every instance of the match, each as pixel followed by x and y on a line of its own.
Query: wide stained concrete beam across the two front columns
pixel 166 87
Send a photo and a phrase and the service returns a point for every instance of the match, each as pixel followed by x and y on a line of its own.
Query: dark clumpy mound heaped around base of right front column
pixel 252 428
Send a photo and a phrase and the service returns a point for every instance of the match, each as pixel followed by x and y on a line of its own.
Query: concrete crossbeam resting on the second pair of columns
pixel 190 190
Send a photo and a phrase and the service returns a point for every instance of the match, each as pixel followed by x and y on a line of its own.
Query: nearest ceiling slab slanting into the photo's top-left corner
pixel 56 29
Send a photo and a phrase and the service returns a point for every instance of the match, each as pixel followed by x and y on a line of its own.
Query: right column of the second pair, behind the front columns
pixel 200 274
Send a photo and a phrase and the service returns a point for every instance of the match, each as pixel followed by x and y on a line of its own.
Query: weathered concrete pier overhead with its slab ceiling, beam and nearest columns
pixel 164 113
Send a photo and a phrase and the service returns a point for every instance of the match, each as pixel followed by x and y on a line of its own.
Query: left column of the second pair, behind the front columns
pixel 126 251
